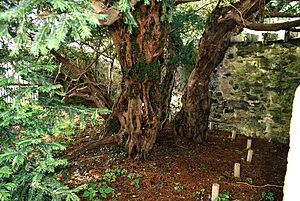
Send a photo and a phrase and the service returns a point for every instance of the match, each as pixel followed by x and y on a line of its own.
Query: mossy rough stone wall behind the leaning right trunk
pixel 253 89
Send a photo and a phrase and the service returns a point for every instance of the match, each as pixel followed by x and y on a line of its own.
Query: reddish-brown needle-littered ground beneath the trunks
pixel 178 169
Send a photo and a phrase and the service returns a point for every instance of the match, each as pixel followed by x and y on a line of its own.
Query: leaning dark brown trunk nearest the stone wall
pixel 193 118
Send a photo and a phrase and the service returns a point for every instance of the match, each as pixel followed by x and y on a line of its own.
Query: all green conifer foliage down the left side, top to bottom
pixel 30 125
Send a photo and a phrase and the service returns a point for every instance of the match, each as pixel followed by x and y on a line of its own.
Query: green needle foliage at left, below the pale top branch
pixel 29 127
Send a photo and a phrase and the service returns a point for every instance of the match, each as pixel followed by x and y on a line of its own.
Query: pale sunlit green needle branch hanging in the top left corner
pixel 40 26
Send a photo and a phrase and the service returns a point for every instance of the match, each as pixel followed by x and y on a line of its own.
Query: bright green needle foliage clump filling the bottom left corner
pixel 27 171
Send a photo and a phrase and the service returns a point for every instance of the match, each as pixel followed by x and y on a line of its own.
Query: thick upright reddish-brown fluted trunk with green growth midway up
pixel 138 107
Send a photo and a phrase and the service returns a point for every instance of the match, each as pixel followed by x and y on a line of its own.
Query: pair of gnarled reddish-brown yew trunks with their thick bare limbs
pixel 137 112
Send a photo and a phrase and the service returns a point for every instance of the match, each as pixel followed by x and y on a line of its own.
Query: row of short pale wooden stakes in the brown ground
pixel 237 167
